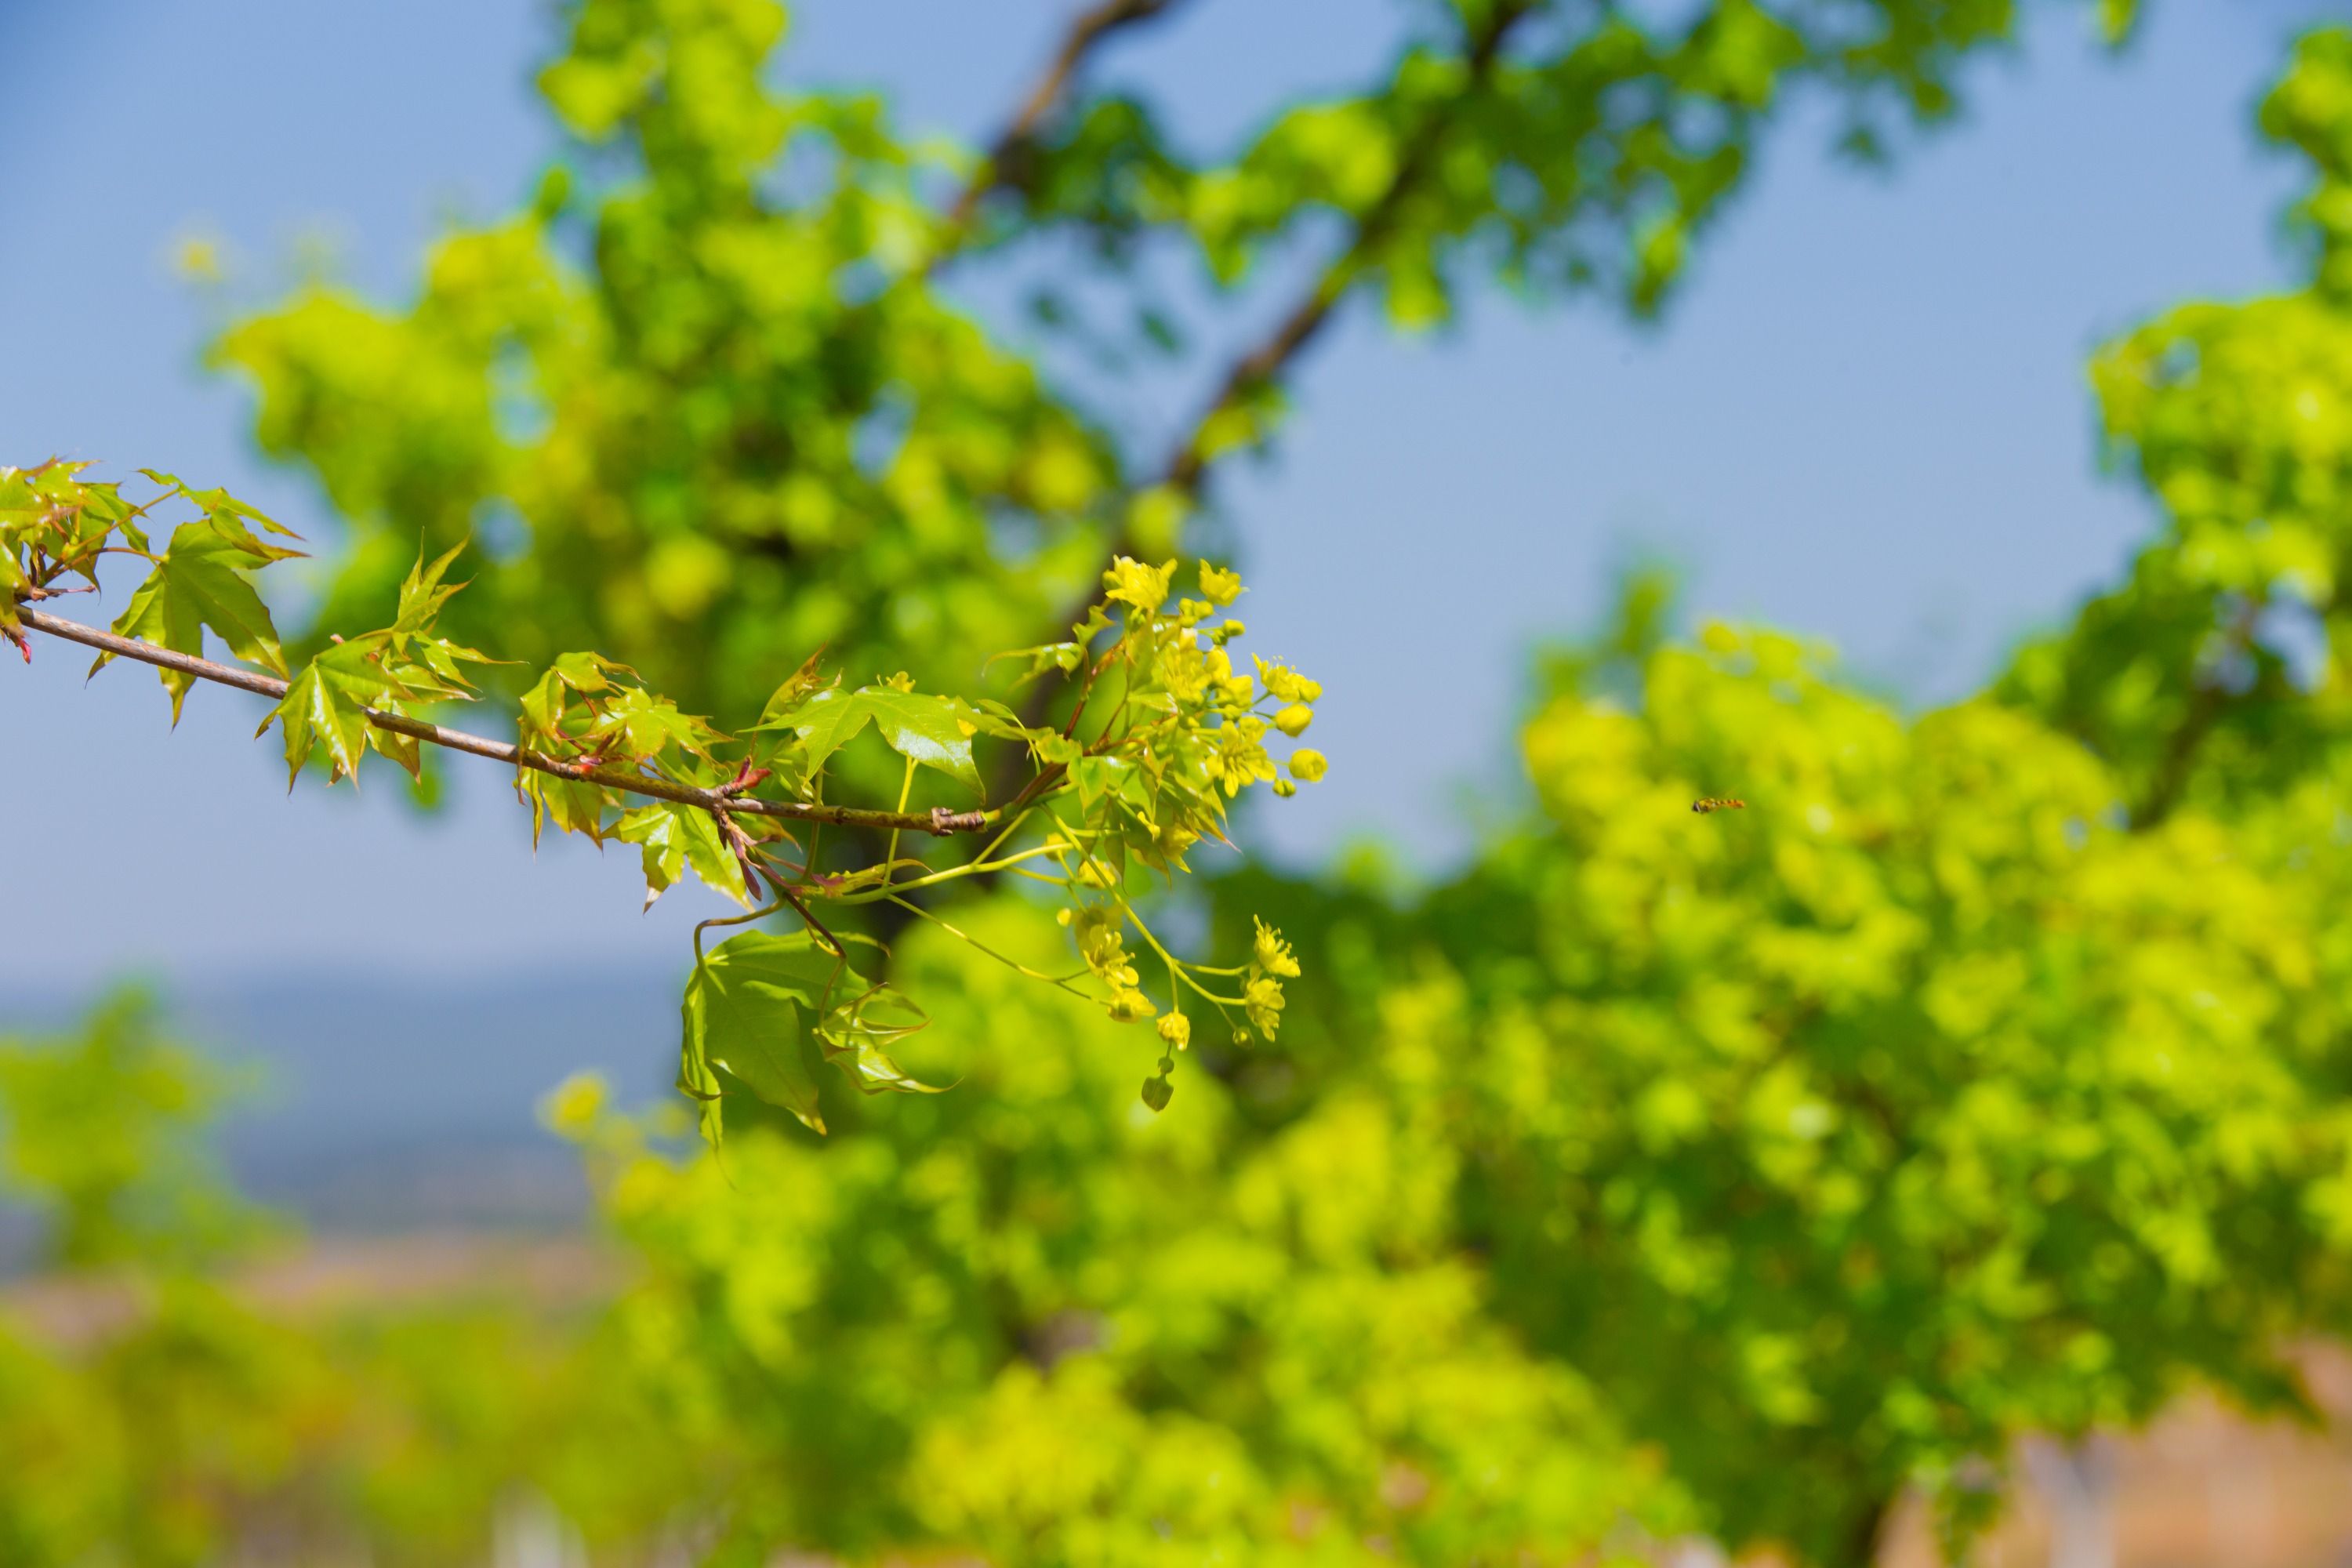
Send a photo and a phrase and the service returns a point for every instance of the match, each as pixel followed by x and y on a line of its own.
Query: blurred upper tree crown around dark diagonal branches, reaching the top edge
pixel 711 398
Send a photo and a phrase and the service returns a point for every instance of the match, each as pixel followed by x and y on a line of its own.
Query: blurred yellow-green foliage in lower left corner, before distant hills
pixel 161 1405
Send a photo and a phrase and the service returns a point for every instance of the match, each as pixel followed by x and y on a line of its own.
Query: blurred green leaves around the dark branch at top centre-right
pixel 1546 145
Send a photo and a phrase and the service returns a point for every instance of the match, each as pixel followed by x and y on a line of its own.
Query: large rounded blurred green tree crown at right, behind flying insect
pixel 1911 1108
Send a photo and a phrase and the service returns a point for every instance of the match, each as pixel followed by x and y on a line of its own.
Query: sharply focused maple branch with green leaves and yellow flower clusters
pixel 1161 737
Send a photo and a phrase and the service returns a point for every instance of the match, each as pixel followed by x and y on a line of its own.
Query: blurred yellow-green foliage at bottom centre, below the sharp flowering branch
pixel 1034 1320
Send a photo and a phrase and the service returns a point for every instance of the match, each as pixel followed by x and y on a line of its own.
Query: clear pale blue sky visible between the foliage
pixel 1864 420
